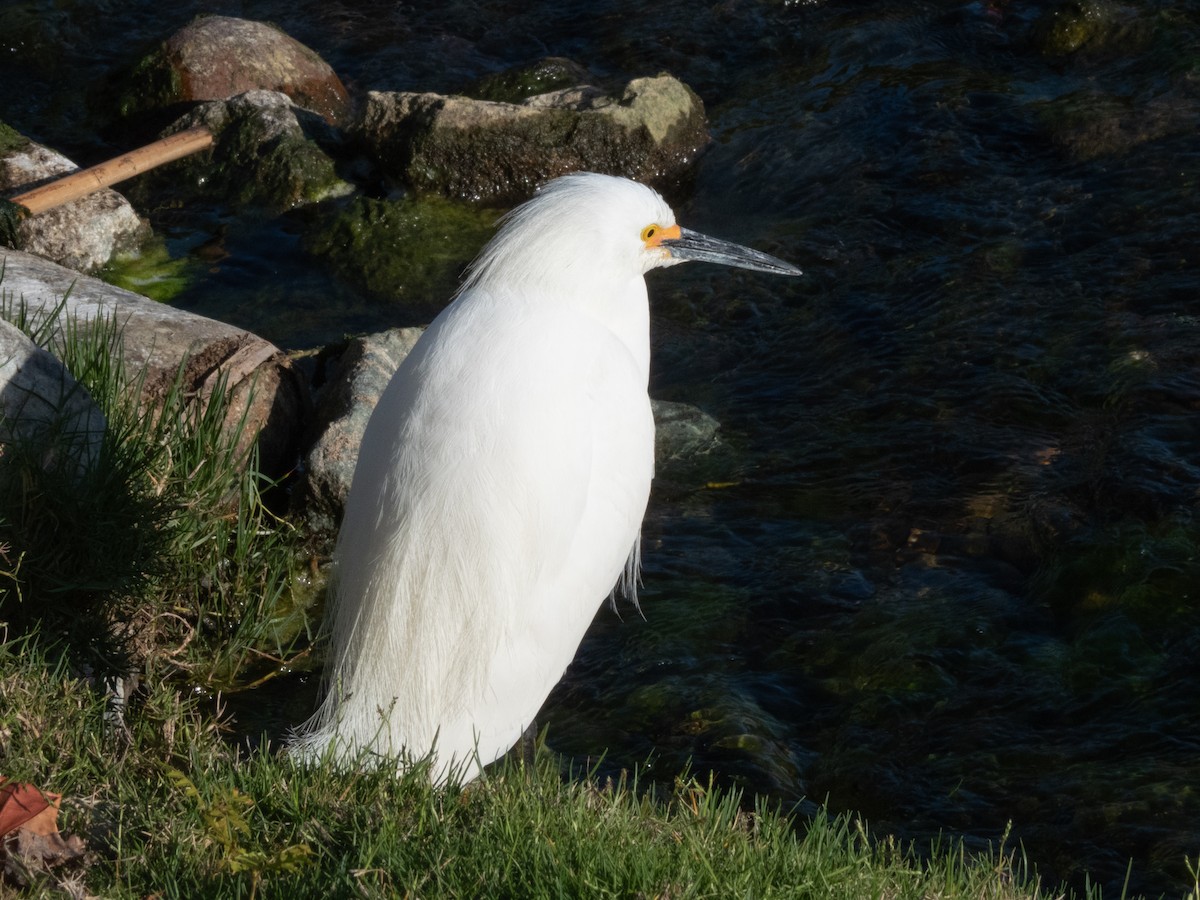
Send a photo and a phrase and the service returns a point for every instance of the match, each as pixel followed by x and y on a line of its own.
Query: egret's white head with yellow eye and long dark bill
pixel 586 230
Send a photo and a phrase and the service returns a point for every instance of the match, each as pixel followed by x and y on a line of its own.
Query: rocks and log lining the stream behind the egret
pixel 289 135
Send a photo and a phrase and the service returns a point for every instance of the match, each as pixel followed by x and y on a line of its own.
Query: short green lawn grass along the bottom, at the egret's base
pixel 169 808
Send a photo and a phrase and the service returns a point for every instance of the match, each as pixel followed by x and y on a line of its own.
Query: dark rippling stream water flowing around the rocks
pixel 944 569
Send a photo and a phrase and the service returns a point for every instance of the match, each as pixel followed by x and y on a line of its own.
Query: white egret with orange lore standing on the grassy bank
pixel 502 483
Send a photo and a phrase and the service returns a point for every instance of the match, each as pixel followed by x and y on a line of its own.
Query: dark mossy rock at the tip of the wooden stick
pixel 265 154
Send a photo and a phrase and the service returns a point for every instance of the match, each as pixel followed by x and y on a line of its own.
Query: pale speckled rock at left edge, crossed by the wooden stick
pixel 85 235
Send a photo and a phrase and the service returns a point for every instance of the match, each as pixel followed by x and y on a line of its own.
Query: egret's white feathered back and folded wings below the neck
pixel 500 488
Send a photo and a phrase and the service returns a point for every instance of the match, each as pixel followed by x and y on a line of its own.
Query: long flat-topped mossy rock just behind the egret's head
pixel 499 153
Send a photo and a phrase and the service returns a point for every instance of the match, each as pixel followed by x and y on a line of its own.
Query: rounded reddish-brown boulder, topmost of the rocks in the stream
pixel 218 57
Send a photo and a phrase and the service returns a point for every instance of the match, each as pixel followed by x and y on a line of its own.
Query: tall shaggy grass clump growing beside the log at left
pixel 164 543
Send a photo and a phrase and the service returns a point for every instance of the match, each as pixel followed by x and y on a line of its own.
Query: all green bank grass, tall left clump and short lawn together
pixel 165 561
